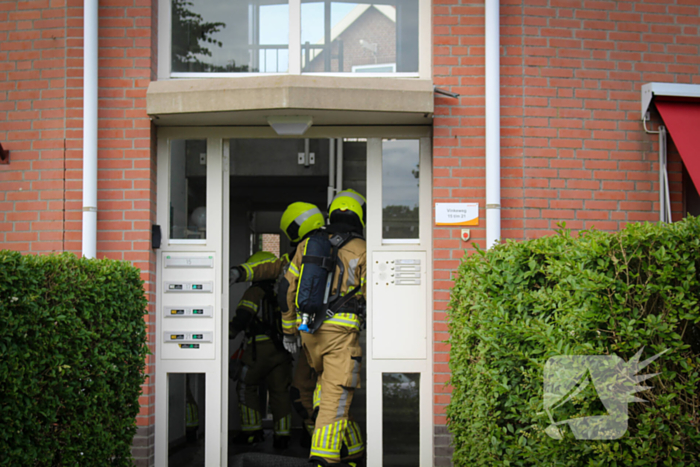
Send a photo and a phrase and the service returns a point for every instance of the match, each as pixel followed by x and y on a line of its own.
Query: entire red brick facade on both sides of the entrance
pixel 573 146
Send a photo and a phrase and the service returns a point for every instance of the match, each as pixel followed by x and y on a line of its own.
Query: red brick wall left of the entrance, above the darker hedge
pixel 41 124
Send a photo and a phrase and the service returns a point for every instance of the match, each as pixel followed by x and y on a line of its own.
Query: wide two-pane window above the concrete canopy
pixel 253 36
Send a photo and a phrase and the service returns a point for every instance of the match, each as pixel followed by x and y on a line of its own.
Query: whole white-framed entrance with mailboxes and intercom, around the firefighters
pixel 221 192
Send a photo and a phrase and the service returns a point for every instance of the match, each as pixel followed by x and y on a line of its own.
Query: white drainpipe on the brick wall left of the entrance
pixel 90 44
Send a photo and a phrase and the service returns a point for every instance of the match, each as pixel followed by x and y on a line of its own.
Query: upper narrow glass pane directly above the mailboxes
pixel 188 189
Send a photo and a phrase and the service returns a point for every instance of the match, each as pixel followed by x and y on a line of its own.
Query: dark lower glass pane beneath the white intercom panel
pixel 401 419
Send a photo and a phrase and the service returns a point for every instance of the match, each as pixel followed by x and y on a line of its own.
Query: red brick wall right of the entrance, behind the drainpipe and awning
pixel 572 145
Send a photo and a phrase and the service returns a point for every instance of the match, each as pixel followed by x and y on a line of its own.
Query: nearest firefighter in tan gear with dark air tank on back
pixel 332 343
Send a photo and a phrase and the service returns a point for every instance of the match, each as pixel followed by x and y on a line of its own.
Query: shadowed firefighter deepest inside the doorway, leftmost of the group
pixel 264 360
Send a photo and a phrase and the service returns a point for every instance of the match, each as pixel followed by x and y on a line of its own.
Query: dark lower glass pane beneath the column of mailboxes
pixel 186 419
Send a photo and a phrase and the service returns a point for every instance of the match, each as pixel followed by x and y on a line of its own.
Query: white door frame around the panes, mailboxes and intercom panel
pixel 218 147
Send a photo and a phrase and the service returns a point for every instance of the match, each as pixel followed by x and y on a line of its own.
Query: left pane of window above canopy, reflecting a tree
pixel 230 36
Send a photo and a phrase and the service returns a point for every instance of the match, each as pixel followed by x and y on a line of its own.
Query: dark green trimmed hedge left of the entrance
pixel 72 359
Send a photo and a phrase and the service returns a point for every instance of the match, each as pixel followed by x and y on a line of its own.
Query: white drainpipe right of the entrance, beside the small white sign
pixel 493 123
